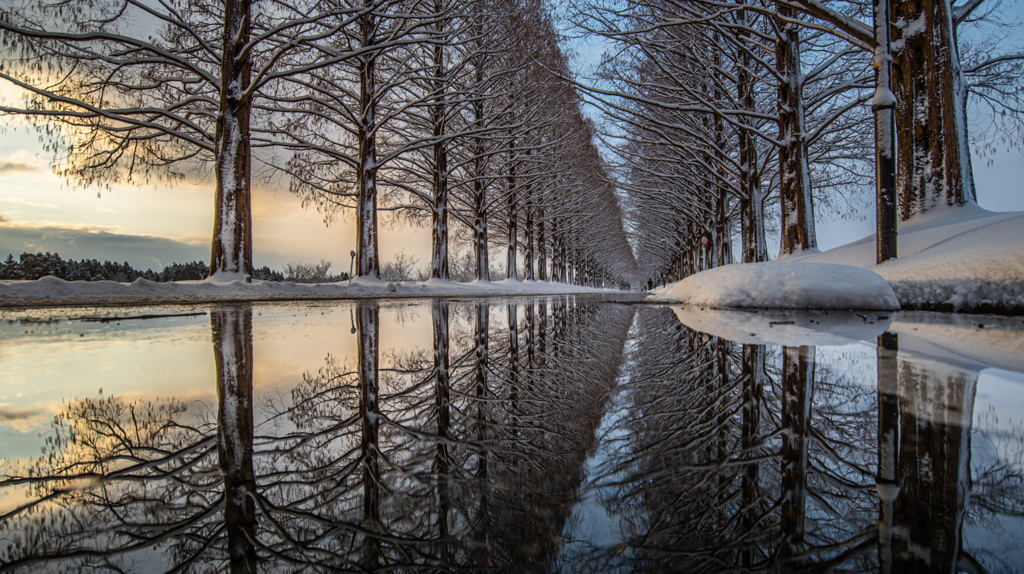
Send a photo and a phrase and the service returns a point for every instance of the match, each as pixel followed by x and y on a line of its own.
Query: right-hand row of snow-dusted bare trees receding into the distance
pixel 723 112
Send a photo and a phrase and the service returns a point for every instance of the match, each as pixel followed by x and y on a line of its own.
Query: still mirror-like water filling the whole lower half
pixel 536 435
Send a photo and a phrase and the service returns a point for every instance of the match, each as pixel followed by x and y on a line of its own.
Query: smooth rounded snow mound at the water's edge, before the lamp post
pixel 784 285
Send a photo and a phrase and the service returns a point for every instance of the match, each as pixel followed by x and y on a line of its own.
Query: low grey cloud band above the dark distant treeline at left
pixel 143 252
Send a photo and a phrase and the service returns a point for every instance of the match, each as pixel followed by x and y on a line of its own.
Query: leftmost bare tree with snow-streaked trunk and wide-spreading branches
pixel 127 91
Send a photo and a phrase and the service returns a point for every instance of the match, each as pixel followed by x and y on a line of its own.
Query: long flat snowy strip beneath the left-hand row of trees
pixel 51 291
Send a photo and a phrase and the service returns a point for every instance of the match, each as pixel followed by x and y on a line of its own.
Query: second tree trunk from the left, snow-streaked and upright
pixel 368 258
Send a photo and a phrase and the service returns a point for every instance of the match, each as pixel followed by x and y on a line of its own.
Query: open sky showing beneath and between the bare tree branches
pixel 152 227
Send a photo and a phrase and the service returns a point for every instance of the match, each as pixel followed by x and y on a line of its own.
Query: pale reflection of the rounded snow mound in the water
pixel 791 329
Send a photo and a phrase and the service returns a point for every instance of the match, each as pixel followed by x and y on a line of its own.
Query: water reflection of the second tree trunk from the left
pixel 368 332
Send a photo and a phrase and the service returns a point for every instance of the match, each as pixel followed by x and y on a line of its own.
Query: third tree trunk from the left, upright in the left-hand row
pixel 440 235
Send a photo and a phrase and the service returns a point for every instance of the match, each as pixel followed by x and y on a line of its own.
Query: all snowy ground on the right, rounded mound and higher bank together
pixel 956 259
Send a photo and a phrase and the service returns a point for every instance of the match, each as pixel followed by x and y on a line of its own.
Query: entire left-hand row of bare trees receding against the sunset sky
pixel 455 112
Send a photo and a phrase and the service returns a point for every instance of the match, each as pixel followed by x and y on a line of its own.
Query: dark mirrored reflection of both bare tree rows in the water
pixel 484 454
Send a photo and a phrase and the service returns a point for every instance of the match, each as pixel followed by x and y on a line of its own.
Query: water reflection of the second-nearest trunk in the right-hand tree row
pixel 798 390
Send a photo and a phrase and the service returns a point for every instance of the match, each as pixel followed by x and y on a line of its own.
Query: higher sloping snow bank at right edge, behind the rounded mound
pixel 955 259
